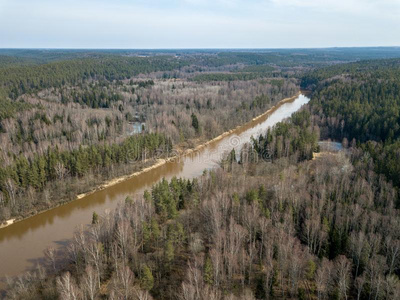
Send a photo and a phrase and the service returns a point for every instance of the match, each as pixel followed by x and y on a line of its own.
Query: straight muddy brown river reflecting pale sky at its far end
pixel 22 244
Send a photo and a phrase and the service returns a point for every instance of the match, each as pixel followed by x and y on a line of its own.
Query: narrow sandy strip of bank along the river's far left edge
pixel 157 163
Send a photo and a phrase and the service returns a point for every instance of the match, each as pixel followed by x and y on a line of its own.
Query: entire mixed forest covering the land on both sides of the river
pixel 283 219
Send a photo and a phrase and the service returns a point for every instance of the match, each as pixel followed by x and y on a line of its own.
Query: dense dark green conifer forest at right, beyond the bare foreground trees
pixel 359 103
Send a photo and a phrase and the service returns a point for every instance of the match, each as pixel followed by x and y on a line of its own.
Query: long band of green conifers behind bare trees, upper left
pixel 15 81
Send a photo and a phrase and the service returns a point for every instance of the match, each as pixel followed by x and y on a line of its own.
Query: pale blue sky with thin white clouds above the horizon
pixel 154 24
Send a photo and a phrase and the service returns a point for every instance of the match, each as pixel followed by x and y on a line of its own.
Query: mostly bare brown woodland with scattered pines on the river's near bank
pixel 275 225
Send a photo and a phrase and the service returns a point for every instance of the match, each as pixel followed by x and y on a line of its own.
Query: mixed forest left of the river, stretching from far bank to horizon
pixel 66 119
